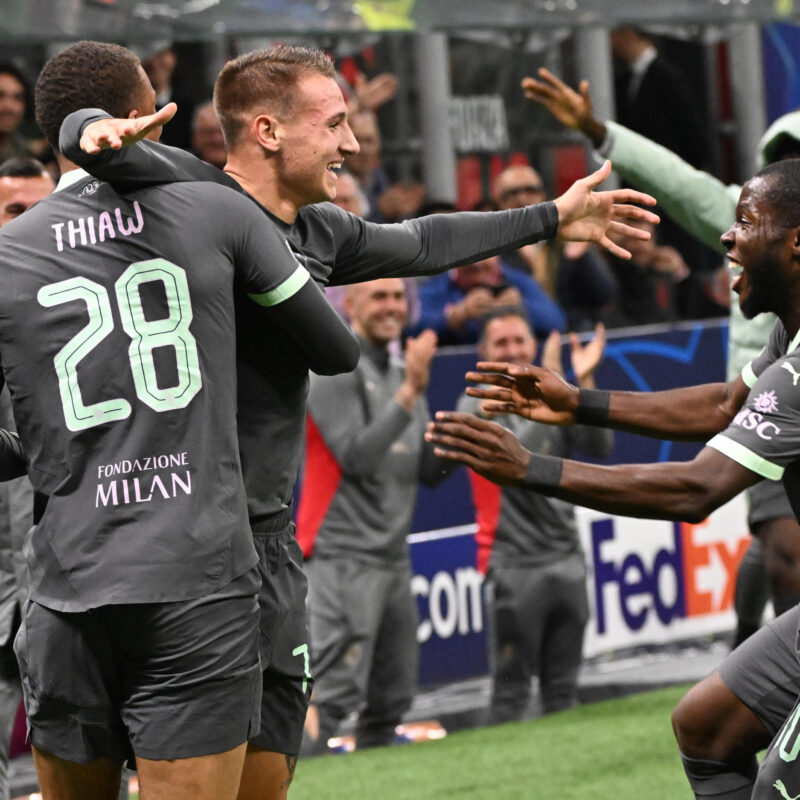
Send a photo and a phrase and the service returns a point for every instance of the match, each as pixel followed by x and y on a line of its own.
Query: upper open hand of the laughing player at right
pixel 531 392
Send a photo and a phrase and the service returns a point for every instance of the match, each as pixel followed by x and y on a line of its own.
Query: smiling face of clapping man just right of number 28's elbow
pixel 378 309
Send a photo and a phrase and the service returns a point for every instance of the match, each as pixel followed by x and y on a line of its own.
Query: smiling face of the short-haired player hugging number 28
pixel 314 140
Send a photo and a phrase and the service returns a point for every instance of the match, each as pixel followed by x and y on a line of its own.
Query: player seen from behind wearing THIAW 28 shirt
pixel 117 344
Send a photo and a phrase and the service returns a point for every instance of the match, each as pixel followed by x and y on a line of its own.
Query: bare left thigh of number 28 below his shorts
pixel 67 780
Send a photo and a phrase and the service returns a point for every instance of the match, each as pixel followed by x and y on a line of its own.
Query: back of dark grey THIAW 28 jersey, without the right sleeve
pixel 117 343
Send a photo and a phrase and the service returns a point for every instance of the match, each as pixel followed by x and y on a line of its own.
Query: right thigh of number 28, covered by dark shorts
pixel 192 673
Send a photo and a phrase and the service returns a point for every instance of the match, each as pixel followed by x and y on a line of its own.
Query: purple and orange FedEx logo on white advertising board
pixel 668 584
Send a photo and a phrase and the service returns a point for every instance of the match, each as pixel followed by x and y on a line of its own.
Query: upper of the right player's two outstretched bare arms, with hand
pixel 693 413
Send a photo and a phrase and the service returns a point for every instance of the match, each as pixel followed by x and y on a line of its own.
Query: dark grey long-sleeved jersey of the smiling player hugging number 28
pixel 336 248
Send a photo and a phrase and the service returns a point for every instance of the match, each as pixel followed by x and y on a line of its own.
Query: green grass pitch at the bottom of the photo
pixel 622 749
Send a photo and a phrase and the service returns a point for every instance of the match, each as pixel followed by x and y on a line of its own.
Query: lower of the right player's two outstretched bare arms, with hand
pixel 676 490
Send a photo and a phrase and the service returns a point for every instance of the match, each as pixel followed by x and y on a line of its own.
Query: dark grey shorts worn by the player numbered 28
pixel 156 680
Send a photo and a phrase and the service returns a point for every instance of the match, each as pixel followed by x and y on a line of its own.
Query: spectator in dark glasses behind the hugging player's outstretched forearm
pixel 575 274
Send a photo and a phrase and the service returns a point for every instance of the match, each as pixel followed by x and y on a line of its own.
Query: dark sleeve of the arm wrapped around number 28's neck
pixel 140 165
